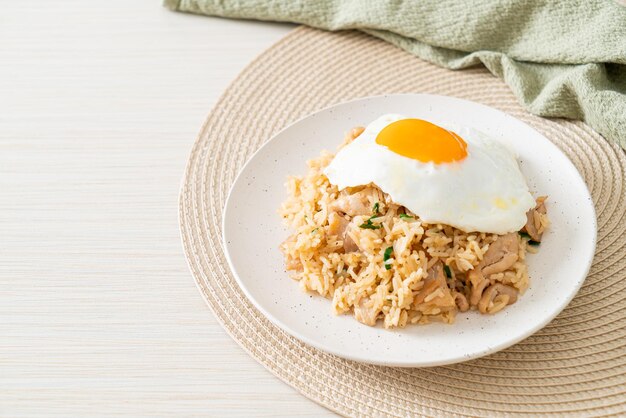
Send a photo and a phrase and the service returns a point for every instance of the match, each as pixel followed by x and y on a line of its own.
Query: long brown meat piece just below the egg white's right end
pixel 500 256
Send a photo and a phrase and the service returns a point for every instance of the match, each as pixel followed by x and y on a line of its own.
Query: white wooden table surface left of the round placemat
pixel 100 103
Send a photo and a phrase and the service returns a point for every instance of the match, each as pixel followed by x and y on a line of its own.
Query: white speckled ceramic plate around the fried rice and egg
pixel 253 231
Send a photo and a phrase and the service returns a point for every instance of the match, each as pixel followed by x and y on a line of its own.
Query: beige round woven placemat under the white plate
pixel 574 366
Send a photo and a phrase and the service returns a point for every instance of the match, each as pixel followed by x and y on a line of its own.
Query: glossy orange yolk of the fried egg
pixel 422 141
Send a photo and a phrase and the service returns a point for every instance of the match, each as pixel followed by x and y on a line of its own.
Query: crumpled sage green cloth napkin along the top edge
pixel 560 58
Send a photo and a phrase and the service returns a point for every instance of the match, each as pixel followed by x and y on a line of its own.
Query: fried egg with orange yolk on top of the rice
pixel 456 175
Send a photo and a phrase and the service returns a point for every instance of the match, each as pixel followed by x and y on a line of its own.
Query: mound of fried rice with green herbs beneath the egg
pixel 393 275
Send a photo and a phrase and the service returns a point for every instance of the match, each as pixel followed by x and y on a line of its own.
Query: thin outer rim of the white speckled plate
pixel 453 359
